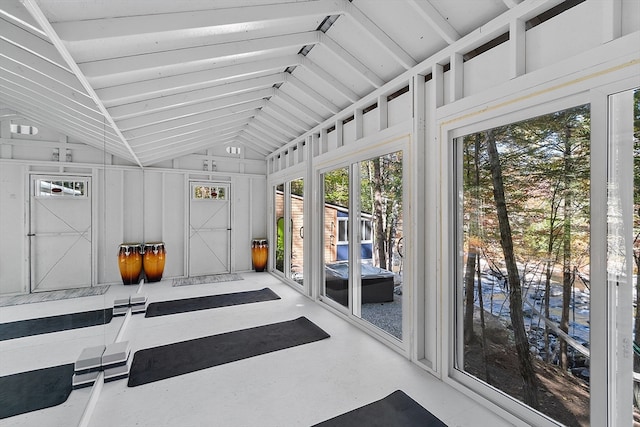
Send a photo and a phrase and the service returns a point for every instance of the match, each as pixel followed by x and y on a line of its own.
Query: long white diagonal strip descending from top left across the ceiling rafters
pixel 42 20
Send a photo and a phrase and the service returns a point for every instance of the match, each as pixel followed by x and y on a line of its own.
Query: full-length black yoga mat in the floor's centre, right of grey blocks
pixel 158 363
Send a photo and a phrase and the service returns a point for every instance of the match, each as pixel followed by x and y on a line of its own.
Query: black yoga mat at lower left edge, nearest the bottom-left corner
pixel 33 390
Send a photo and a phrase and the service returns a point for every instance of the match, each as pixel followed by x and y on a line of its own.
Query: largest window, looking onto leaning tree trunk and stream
pixel 523 276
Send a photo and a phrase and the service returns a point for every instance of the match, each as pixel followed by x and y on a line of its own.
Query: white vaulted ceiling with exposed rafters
pixel 154 80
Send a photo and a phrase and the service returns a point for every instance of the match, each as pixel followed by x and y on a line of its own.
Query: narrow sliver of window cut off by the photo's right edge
pixel 623 247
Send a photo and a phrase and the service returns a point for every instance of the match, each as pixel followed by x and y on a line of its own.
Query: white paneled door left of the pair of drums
pixel 60 232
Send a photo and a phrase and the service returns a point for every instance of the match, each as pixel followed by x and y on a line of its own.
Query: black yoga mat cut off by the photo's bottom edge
pixel 395 410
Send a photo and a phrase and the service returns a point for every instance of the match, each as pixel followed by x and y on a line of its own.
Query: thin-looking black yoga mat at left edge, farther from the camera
pixel 62 322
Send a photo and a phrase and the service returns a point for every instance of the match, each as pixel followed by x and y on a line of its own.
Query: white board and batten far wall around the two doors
pixel 129 204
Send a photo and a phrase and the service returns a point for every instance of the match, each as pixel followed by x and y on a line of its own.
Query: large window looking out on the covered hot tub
pixel 363 232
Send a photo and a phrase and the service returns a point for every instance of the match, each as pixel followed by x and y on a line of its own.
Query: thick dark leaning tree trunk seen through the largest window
pixel 530 383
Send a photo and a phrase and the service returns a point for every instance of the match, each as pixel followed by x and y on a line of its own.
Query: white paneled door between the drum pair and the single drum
pixel 209 229
